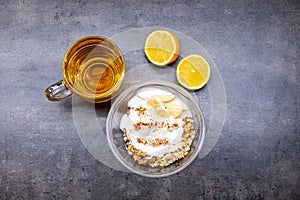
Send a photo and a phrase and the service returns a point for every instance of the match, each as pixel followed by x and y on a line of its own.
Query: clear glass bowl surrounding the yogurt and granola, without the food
pixel 115 134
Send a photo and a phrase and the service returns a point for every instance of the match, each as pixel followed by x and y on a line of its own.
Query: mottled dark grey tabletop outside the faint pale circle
pixel 256 46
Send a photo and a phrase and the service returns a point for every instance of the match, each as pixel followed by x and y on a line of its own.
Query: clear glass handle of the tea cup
pixel 58 91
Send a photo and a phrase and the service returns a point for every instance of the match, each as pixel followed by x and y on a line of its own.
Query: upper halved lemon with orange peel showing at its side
pixel 162 47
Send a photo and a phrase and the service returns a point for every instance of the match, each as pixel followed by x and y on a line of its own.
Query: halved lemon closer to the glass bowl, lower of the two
pixel 193 72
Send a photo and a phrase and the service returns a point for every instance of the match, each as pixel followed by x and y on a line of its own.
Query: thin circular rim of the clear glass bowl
pixel 137 86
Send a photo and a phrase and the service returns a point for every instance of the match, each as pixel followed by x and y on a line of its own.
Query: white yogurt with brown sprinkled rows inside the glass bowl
pixel 141 122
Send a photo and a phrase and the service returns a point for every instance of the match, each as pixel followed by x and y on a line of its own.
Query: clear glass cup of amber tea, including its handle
pixel 93 68
